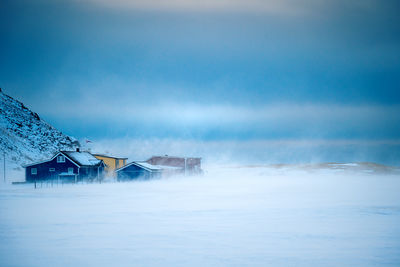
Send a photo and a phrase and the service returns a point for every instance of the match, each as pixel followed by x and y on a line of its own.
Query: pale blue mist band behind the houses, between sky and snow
pixel 261 152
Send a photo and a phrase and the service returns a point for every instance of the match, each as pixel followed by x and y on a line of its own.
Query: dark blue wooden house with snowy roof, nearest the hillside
pixel 66 165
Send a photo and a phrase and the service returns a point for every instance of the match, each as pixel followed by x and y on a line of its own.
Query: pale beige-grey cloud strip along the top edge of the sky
pixel 273 7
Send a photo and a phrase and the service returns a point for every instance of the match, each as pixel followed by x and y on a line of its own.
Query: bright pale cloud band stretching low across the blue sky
pixel 129 108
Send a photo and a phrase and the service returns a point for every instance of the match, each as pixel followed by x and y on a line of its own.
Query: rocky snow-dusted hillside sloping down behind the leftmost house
pixel 25 137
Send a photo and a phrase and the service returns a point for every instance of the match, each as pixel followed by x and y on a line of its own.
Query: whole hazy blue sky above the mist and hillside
pixel 207 70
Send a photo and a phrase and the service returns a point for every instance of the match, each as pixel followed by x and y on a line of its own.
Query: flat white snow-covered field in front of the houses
pixel 260 216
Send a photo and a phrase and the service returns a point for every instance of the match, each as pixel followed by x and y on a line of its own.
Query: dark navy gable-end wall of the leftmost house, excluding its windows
pixel 43 171
